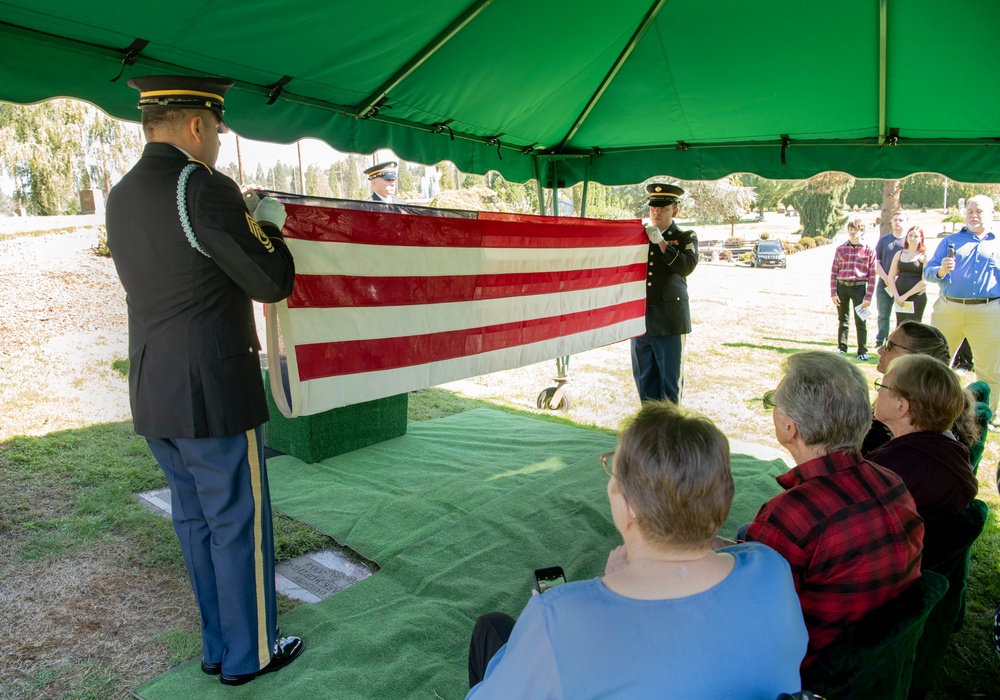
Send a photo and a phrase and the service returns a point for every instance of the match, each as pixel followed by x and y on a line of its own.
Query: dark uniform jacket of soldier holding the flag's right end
pixel 667 311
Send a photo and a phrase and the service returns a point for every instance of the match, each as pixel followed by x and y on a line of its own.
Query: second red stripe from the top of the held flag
pixel 331 291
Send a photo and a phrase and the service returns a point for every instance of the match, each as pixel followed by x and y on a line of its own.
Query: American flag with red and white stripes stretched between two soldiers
pixel 391 299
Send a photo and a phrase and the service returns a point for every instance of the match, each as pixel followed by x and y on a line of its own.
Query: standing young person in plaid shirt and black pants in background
pixel 852 281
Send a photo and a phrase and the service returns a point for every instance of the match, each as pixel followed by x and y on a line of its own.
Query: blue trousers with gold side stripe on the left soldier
pixel 221 509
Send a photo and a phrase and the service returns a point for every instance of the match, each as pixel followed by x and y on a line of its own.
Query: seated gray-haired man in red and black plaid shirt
pixel 848 528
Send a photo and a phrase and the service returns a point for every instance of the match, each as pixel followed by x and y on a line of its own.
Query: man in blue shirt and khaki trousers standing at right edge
pixel 967 266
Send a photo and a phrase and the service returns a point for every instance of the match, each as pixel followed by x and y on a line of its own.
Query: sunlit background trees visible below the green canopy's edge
pixel 52 150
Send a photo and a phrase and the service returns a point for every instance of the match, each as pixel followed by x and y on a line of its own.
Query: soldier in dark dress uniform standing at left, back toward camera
pixel 191 258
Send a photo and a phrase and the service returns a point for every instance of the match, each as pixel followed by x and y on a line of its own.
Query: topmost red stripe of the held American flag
pixel 328 224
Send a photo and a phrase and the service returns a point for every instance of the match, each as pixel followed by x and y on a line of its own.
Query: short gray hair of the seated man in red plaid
pixel 827 397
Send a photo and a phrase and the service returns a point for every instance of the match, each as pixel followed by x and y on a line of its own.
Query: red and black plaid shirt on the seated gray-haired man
pixel 851 533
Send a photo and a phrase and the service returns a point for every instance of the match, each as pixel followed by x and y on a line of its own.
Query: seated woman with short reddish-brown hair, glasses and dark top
pixel 919 400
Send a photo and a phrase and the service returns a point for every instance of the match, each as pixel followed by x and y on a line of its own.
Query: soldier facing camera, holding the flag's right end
pixel 657 356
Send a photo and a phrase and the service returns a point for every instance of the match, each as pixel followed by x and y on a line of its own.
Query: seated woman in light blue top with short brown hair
pixel 671 618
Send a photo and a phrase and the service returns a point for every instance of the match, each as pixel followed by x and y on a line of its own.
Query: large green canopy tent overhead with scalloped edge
pixel 591 90
